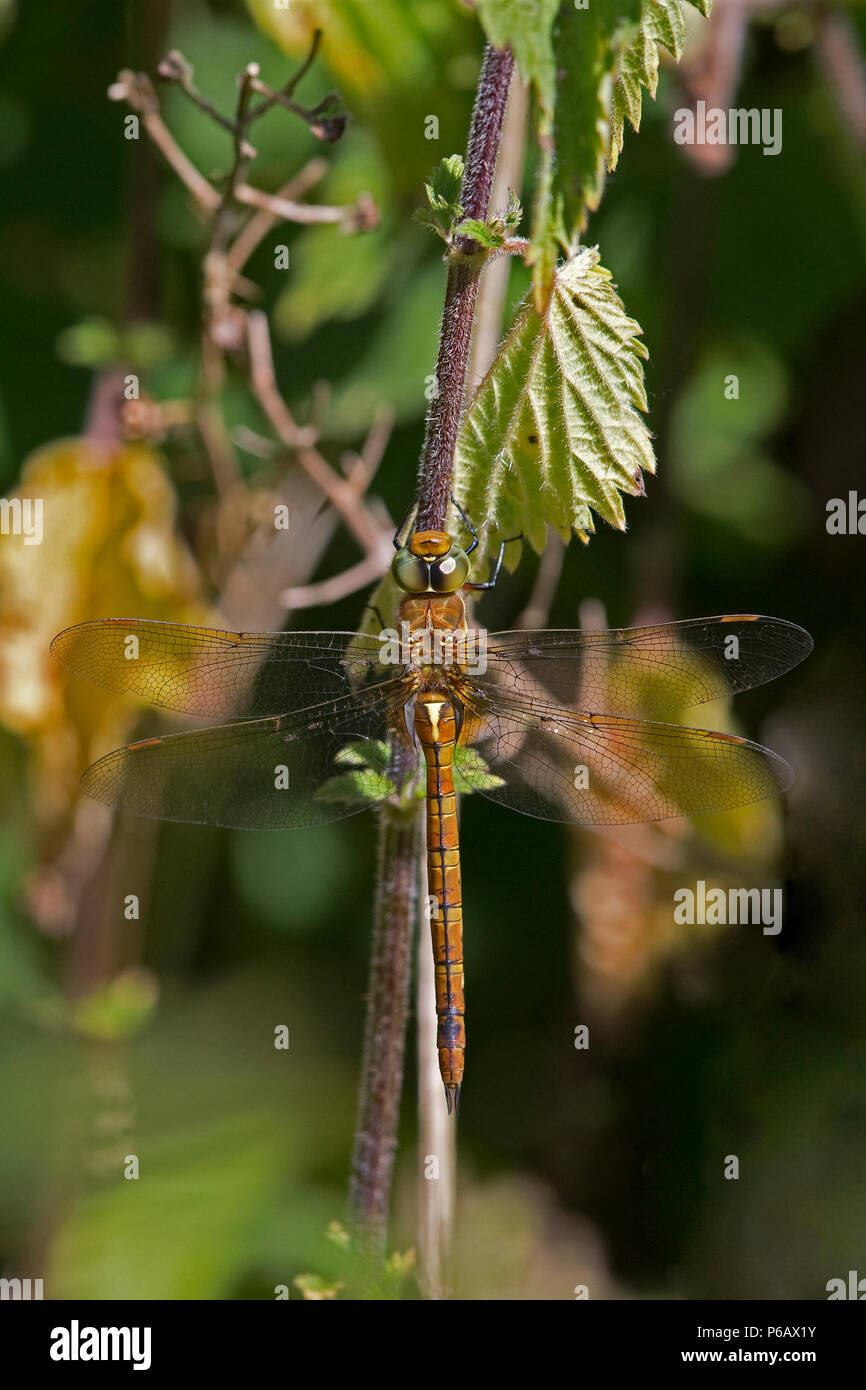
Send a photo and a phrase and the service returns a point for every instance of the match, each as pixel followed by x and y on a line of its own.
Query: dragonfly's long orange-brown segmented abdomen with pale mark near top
pixel 436 728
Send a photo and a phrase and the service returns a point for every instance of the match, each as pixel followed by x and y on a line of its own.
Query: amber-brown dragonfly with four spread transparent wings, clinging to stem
pixel 566 726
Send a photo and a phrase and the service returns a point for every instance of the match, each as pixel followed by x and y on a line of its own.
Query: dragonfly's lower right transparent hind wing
pixel 607 771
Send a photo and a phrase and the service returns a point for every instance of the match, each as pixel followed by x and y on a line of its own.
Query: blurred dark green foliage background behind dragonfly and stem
pixel 608 1161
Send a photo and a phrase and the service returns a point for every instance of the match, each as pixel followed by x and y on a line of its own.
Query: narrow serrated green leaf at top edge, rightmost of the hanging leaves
pixel 661 23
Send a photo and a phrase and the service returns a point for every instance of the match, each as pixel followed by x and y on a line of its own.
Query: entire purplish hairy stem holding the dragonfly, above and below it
pixel 401 839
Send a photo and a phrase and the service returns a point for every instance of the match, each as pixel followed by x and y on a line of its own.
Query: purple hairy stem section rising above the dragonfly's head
pixel 457 333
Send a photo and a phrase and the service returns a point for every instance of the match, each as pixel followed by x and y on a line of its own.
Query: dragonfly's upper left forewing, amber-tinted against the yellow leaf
pixel 202 671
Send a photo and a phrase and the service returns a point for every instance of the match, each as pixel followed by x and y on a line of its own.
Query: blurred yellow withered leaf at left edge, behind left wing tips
pixel 102 544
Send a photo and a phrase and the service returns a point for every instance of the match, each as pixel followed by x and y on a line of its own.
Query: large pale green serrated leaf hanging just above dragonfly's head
pixel 554 434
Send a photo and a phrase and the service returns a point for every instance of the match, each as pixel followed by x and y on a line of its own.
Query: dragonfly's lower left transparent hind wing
pixel 258 775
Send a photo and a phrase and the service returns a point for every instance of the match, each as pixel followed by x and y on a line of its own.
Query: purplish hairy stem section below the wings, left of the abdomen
pixel 386 1031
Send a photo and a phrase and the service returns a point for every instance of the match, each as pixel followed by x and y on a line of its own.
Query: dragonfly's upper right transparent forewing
pixel 651 672
